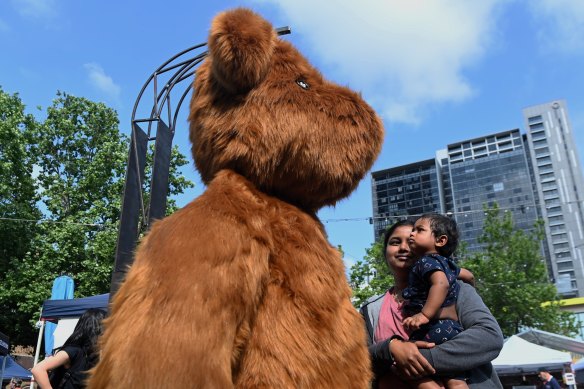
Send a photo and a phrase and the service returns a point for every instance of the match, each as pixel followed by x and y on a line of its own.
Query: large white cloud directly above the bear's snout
pixel 403 55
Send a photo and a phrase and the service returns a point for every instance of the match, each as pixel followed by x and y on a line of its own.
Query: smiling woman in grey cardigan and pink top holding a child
pixel 470 351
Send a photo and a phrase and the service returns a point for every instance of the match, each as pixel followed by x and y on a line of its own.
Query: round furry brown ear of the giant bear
pixel 241 45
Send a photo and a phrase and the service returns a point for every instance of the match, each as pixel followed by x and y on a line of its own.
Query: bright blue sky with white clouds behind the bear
pixel 437 71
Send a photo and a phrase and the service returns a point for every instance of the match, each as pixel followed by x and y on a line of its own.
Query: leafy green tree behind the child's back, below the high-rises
pixel 512 279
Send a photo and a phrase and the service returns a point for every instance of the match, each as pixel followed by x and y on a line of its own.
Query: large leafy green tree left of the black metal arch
pixel 81 157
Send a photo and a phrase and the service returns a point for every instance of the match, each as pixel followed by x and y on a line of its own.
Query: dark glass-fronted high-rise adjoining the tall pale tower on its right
pixel 488 170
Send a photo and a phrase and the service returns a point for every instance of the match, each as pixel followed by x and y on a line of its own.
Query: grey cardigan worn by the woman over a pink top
pixel 471 351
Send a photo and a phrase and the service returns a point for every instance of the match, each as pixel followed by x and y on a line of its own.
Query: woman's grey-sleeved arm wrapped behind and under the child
pixel 479 343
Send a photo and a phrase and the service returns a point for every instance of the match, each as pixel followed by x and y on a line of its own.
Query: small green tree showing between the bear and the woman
pixel 371 276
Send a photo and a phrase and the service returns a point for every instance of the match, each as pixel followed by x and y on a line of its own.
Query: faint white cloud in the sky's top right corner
pixel 560 24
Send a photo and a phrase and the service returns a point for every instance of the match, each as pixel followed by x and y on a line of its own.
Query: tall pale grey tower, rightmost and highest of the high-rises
pixel 559 187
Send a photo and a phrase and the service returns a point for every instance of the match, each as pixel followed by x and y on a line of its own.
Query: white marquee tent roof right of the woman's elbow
pixel 519 356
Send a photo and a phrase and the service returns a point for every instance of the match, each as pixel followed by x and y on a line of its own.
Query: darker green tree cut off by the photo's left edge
pixel 18 197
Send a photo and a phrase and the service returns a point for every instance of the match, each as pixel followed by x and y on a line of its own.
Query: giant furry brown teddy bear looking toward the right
pixel 241 288
